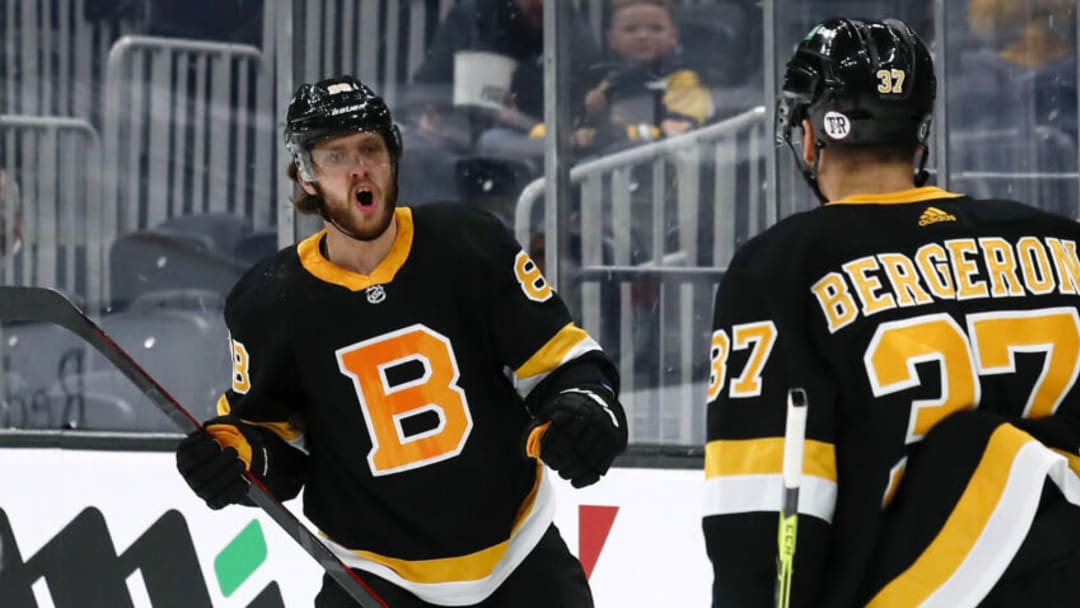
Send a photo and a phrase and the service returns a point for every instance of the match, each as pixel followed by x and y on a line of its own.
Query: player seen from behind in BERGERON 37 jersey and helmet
pixel 938 342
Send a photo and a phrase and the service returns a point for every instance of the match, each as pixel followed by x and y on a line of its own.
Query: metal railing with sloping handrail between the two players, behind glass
pixel 656 226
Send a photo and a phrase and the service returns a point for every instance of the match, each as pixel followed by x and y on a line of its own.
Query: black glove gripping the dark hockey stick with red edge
pixel 210 461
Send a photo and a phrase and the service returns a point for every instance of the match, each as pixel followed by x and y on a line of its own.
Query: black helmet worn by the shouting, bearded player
pixel 336 106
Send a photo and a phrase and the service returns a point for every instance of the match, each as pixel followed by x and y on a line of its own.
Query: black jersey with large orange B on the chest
pixel 409 386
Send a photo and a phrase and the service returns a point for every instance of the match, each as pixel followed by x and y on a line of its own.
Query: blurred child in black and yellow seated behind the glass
pixel 649 92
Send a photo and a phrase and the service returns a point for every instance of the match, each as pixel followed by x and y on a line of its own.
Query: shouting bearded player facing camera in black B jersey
pixel 426 369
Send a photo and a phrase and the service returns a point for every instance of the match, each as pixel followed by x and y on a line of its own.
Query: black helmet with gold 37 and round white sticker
pixel 861 85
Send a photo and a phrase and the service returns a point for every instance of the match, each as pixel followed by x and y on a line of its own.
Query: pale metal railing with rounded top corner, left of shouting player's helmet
pixel 187 131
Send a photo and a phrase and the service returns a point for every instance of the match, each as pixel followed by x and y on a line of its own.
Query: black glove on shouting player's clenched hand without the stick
pixel 580 433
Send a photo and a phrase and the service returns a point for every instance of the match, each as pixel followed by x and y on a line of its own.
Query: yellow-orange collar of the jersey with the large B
pixel 323 269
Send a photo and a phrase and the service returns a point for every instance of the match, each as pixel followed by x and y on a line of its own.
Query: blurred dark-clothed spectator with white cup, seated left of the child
pixel 511 29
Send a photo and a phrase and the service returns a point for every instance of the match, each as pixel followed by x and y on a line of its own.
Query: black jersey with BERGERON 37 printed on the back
pixel 893 313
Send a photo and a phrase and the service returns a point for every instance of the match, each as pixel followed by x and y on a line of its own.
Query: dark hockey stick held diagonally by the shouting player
pixel 49 306
